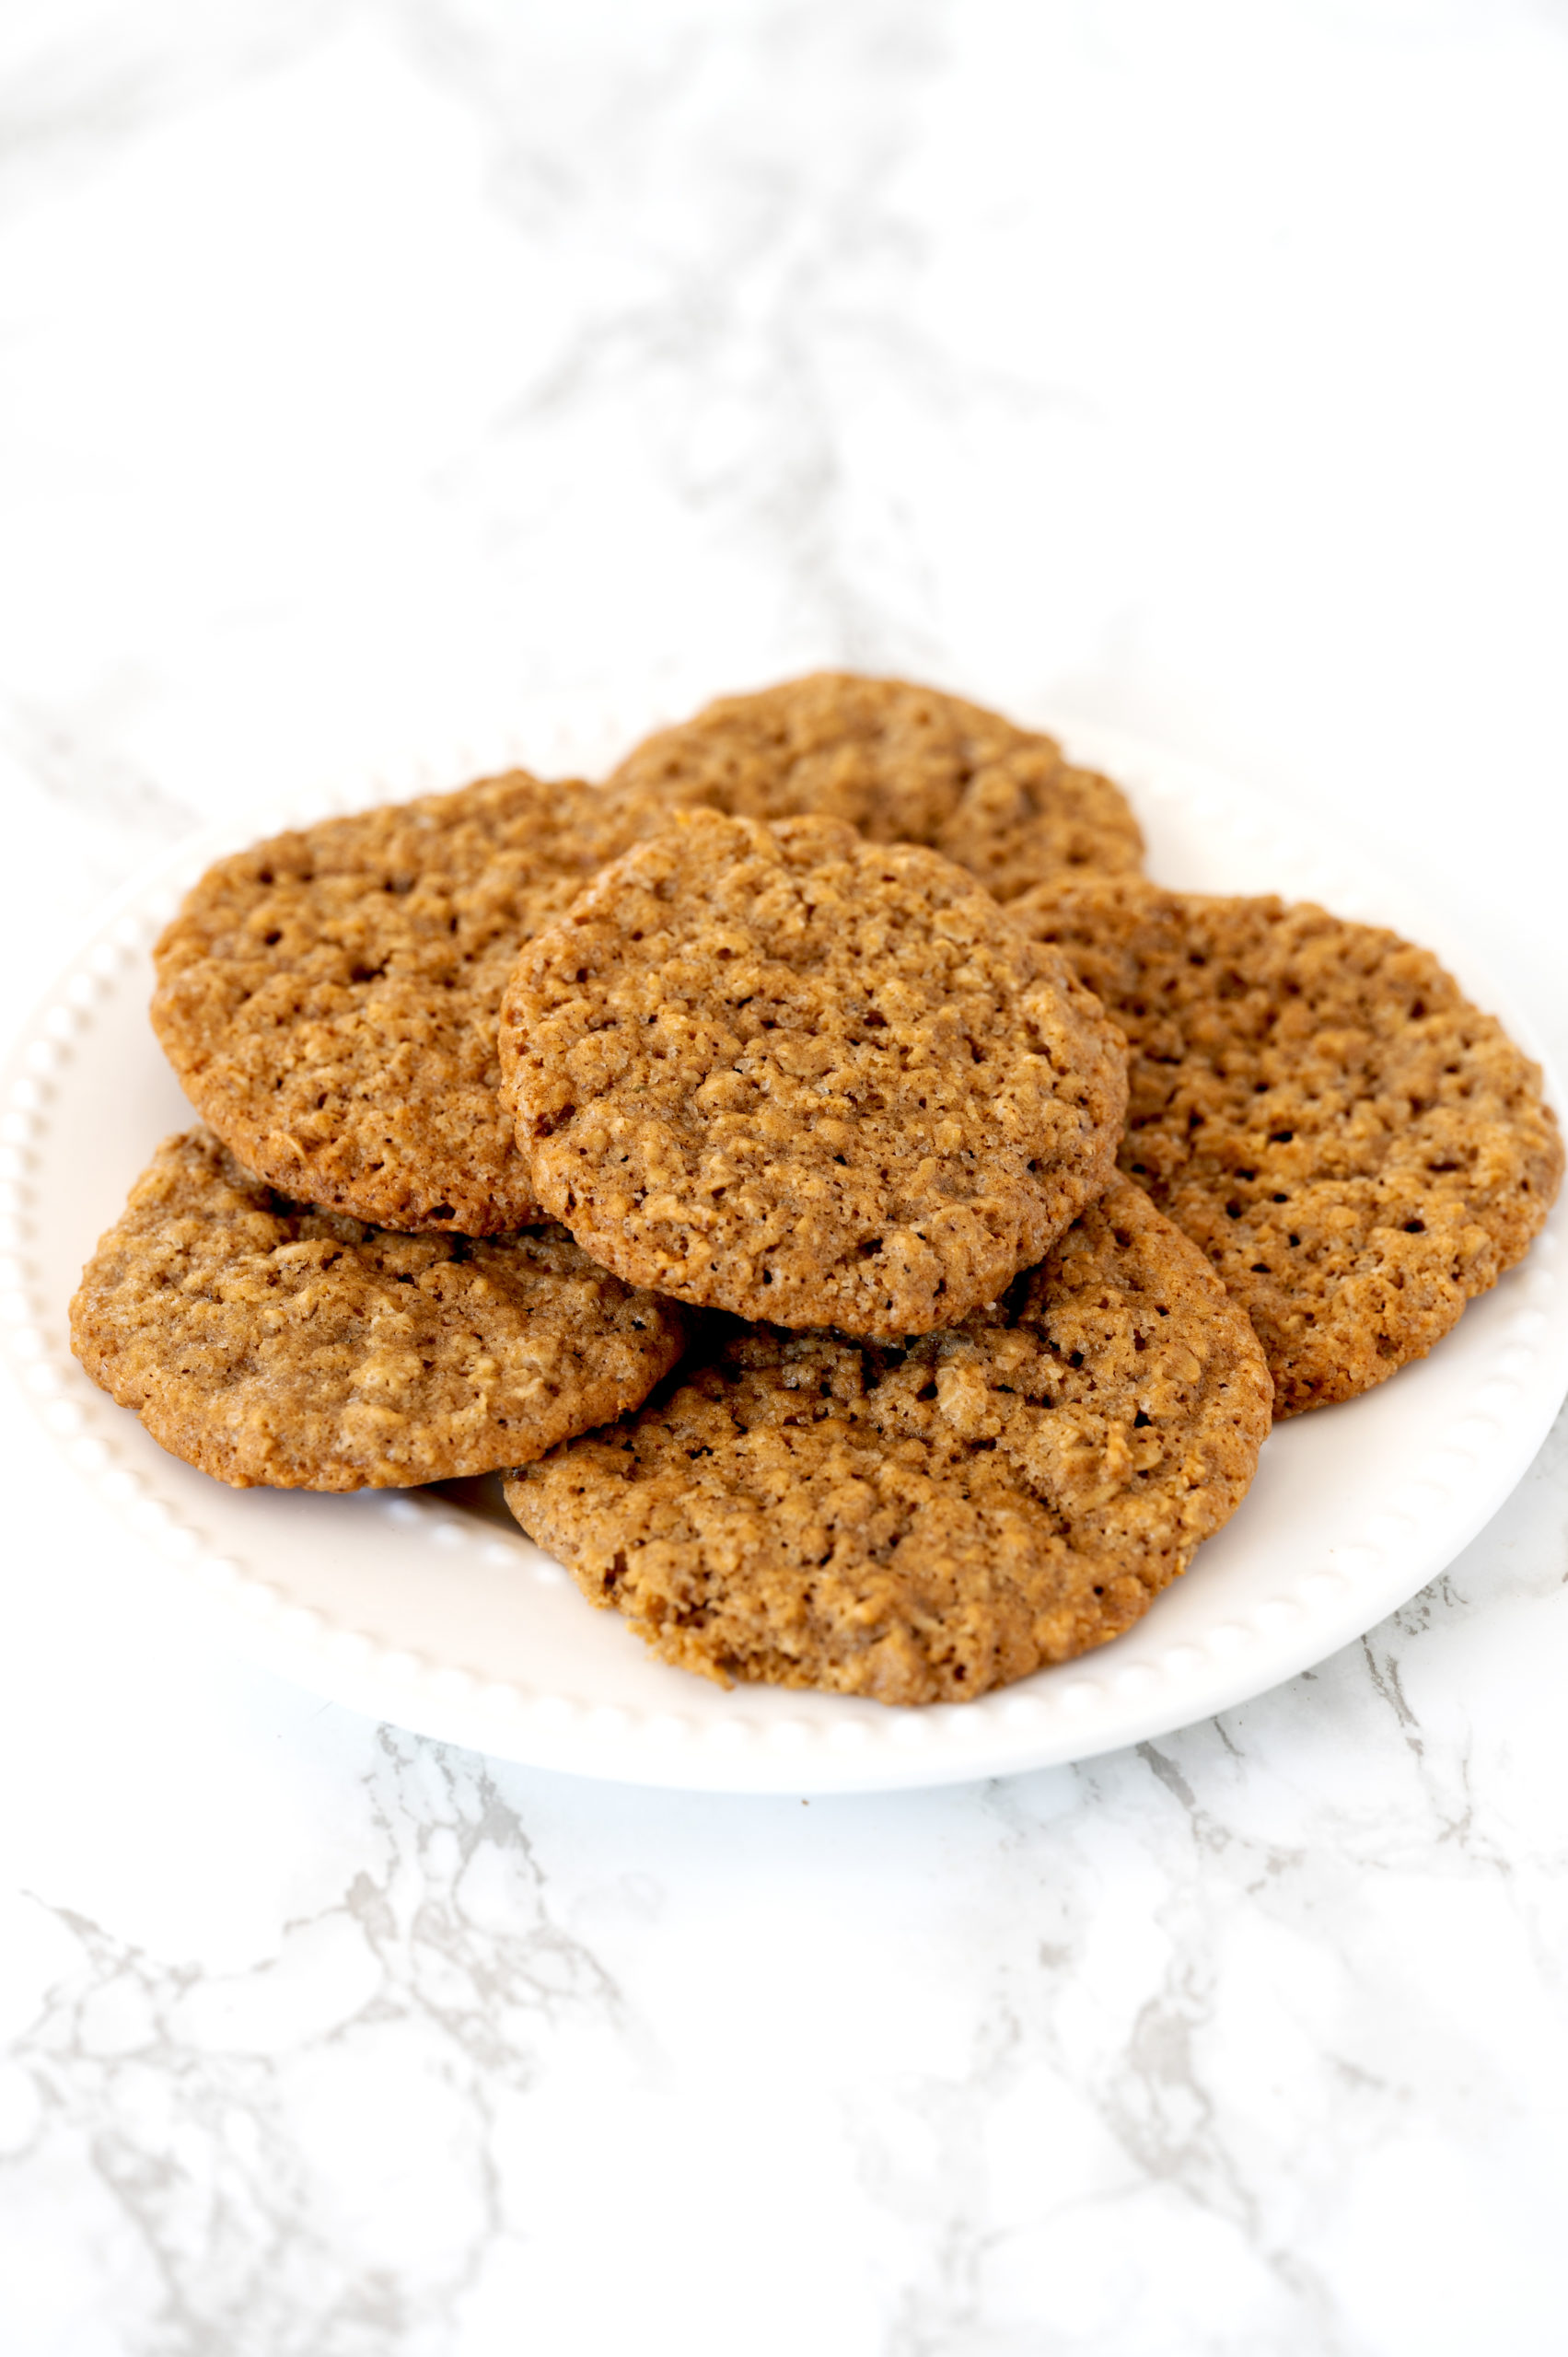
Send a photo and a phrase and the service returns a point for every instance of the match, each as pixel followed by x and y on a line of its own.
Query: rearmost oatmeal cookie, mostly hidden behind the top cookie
pixel 902 765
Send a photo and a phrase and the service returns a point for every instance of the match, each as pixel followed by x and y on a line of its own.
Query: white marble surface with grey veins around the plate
pixel 449 381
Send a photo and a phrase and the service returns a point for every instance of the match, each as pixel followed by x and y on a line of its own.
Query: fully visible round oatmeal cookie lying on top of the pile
pixel 808 1078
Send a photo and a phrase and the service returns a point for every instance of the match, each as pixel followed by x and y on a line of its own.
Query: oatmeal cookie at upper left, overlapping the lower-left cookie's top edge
pixel 329 998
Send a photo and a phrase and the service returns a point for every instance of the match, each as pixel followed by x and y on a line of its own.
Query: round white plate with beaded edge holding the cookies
pixel 433 1611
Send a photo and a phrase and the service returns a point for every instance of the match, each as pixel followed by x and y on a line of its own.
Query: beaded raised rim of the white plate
pixel 1062 1715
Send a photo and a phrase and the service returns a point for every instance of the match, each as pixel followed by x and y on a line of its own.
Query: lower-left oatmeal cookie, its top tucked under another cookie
pixel 268 1342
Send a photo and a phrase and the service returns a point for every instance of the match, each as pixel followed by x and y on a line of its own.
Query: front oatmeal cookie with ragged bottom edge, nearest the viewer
pixel 925 1524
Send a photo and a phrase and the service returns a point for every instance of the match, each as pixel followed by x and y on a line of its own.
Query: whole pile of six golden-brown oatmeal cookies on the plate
pixel 867 1220
